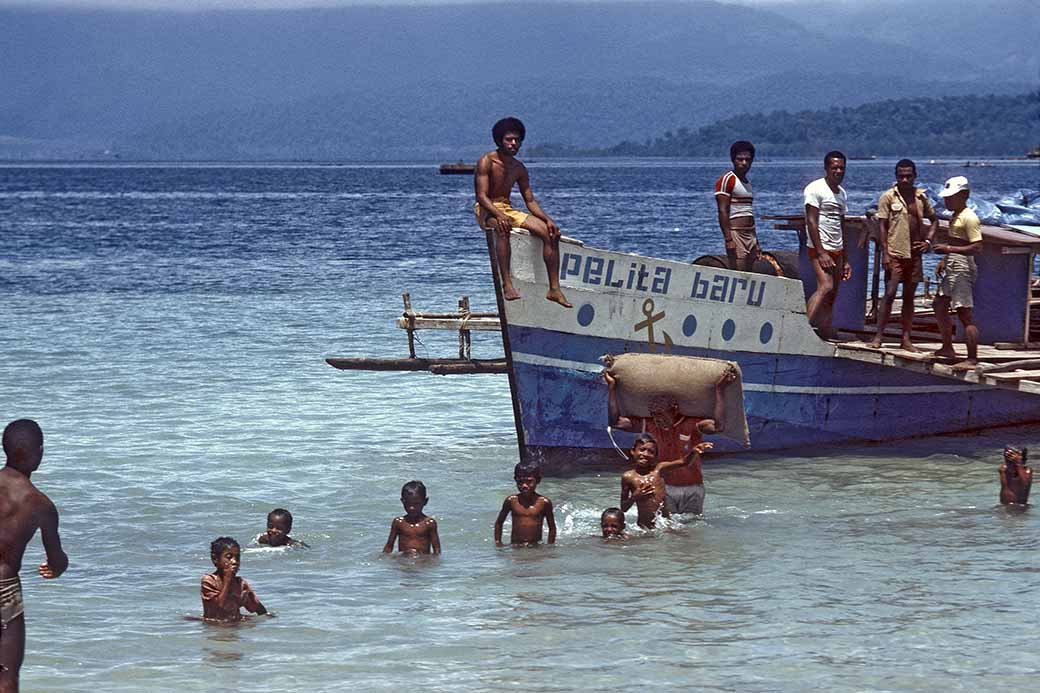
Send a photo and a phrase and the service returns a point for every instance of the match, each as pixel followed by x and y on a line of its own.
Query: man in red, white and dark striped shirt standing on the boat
pixel 737 219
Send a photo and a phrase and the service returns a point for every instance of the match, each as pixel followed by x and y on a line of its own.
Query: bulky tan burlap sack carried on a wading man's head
pixel 690 380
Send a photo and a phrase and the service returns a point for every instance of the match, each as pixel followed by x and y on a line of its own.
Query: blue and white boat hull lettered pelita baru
pixel 798 390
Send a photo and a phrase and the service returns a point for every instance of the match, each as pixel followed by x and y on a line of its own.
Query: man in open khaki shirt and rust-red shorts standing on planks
pixel 900 213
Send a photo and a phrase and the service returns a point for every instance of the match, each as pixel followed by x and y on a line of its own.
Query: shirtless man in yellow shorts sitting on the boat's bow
pixel 497 173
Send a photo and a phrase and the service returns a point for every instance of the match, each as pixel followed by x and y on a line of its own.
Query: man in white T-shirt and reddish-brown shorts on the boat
pixel 826 203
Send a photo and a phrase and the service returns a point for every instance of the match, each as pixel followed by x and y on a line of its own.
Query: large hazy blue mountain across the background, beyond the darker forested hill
pixel 428 82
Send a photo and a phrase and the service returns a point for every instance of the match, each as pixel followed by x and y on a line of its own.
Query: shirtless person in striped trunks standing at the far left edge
pixel 23 510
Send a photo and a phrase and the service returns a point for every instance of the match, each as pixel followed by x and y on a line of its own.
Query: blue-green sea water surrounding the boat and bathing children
pixel 167 325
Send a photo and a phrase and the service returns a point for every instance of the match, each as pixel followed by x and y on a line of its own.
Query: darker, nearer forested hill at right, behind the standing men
pixel 965 125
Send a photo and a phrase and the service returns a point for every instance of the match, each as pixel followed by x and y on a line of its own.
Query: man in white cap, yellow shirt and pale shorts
pixel 958 273
